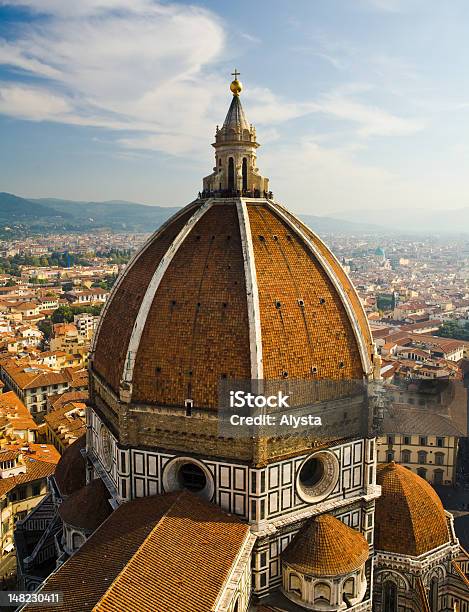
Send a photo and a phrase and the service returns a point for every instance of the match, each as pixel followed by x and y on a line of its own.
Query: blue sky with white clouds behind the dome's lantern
pixel 358 104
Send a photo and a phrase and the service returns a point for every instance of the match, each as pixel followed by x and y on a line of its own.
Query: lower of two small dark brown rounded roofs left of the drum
pixel 88 507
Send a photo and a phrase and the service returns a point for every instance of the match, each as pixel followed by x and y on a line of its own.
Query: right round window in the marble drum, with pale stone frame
pixel 317 476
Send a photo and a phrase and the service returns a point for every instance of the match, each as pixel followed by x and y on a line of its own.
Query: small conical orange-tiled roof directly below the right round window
pixel 326 547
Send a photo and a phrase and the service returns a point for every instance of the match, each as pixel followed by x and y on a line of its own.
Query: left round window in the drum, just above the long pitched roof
pixel 189 474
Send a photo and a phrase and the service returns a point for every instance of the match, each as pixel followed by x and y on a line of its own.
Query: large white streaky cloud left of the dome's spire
pixel 119 64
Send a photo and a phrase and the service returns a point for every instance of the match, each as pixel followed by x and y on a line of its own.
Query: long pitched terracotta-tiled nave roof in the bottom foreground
pixel 143 557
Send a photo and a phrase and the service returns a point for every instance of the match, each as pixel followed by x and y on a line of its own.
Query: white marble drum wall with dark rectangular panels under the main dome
pixel 259 495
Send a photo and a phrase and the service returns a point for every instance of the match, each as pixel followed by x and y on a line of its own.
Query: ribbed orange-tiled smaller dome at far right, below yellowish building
pixel 410 518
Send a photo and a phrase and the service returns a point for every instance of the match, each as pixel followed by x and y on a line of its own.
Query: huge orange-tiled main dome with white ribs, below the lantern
pixel 235 289
